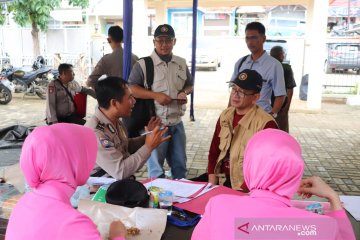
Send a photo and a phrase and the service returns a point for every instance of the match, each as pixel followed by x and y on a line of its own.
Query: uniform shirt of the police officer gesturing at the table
pixel 117 155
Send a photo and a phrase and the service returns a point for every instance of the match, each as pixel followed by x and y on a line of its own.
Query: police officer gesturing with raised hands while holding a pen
pixel 119 156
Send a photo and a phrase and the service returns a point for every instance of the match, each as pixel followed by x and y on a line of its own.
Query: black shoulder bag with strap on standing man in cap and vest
pixel 144 109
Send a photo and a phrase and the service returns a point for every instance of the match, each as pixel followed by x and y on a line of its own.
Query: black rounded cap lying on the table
pixel 127 193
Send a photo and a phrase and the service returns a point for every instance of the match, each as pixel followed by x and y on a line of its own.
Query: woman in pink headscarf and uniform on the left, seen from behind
pixel 55 160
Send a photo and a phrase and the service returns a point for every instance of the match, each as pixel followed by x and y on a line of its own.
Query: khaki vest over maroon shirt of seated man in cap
pixel 236 139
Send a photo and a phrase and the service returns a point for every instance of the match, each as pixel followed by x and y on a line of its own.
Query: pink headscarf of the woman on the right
pixel 273 162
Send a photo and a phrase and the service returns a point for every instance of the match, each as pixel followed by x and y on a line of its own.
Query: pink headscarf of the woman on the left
pixel 58 156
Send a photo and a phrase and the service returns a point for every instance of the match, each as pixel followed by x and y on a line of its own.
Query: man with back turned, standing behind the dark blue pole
pixel 111 64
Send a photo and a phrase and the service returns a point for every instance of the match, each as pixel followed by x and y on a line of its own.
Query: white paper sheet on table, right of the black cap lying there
pixel 179 188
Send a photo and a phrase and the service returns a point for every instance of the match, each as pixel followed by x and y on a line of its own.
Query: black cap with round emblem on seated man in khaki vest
pixel 248 80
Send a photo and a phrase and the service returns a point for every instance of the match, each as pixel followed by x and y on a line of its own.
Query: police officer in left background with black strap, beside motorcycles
pixel 60 105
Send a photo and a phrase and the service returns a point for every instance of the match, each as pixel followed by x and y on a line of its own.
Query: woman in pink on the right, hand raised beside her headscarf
pixel 273 168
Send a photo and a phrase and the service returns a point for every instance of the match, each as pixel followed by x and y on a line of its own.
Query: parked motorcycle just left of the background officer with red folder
pixel 31 83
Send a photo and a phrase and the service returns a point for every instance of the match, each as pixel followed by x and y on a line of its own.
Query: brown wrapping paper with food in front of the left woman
pixel 151 222
